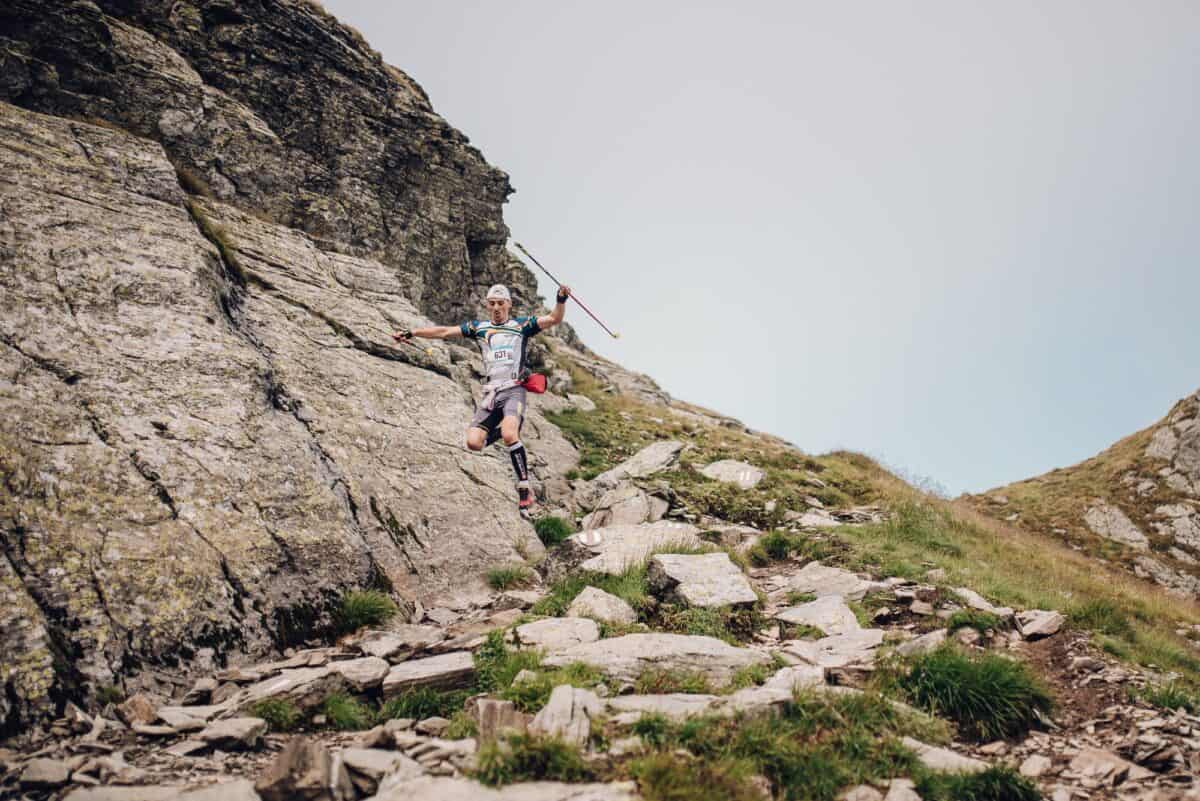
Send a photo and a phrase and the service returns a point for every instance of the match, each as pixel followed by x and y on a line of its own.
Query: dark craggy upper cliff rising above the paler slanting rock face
pixel 284 112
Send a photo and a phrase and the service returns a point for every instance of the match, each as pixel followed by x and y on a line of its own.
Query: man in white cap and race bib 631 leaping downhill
pixel 502 341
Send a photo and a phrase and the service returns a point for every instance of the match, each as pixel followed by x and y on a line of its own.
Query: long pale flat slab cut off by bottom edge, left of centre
pixel 441 788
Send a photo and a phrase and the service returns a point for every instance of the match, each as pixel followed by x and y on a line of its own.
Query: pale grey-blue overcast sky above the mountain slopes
pixel 959 237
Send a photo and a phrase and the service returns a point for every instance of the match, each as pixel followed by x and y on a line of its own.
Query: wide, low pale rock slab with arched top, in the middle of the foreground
pixel 627 658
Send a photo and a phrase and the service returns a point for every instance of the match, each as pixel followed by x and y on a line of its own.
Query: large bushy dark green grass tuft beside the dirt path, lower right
pixel 988 696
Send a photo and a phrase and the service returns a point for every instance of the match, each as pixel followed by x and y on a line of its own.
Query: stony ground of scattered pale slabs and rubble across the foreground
pixel 820 630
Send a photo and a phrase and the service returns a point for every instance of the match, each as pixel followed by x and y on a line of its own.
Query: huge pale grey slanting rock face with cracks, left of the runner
pixel 193 435
